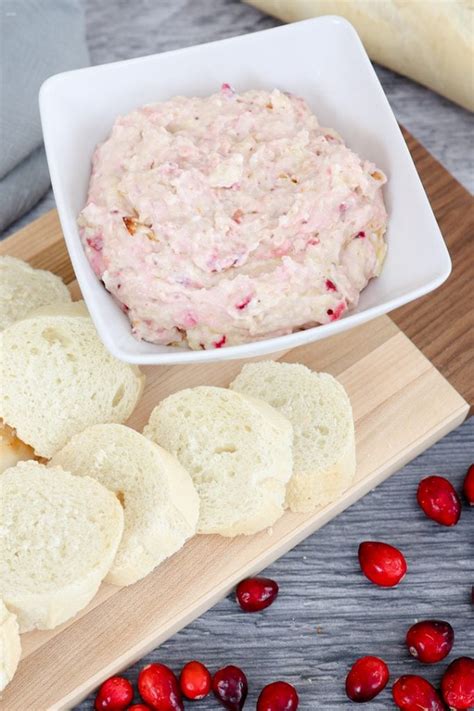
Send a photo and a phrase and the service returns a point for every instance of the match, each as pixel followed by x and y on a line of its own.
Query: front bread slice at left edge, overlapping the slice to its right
pixel 58 539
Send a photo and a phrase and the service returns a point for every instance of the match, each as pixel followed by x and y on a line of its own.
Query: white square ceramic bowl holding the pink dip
pixel 322 60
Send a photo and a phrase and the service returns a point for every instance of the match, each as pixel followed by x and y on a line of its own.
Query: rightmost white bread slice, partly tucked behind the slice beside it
pixel 320 411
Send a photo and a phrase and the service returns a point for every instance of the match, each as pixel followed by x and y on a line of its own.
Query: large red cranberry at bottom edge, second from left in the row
pixel 159 688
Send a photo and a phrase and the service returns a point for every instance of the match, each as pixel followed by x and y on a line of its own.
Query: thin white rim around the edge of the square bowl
pixel 246 350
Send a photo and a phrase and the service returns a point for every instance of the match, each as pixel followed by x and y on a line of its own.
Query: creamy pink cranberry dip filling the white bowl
pixel 227 219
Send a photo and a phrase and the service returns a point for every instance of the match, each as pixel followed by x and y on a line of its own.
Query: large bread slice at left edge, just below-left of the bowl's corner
pixel 58 378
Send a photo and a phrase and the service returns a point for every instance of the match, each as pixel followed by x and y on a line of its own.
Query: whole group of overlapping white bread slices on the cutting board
pixel 108 503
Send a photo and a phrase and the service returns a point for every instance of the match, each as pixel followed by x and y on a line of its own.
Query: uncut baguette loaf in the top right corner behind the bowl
pixel 429 41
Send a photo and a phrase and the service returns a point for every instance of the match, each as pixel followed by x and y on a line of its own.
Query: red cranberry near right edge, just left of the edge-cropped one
pixel 439 500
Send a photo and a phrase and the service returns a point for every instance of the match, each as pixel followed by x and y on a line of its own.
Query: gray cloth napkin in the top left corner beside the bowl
pixel 38 38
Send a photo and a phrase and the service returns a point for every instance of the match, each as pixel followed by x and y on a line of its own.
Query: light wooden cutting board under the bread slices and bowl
pixel 402 405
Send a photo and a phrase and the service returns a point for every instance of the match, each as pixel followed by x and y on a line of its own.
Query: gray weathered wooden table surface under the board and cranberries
pixel 327 614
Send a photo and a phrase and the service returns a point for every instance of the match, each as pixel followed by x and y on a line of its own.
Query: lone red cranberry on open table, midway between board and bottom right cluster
pixel 381 563
